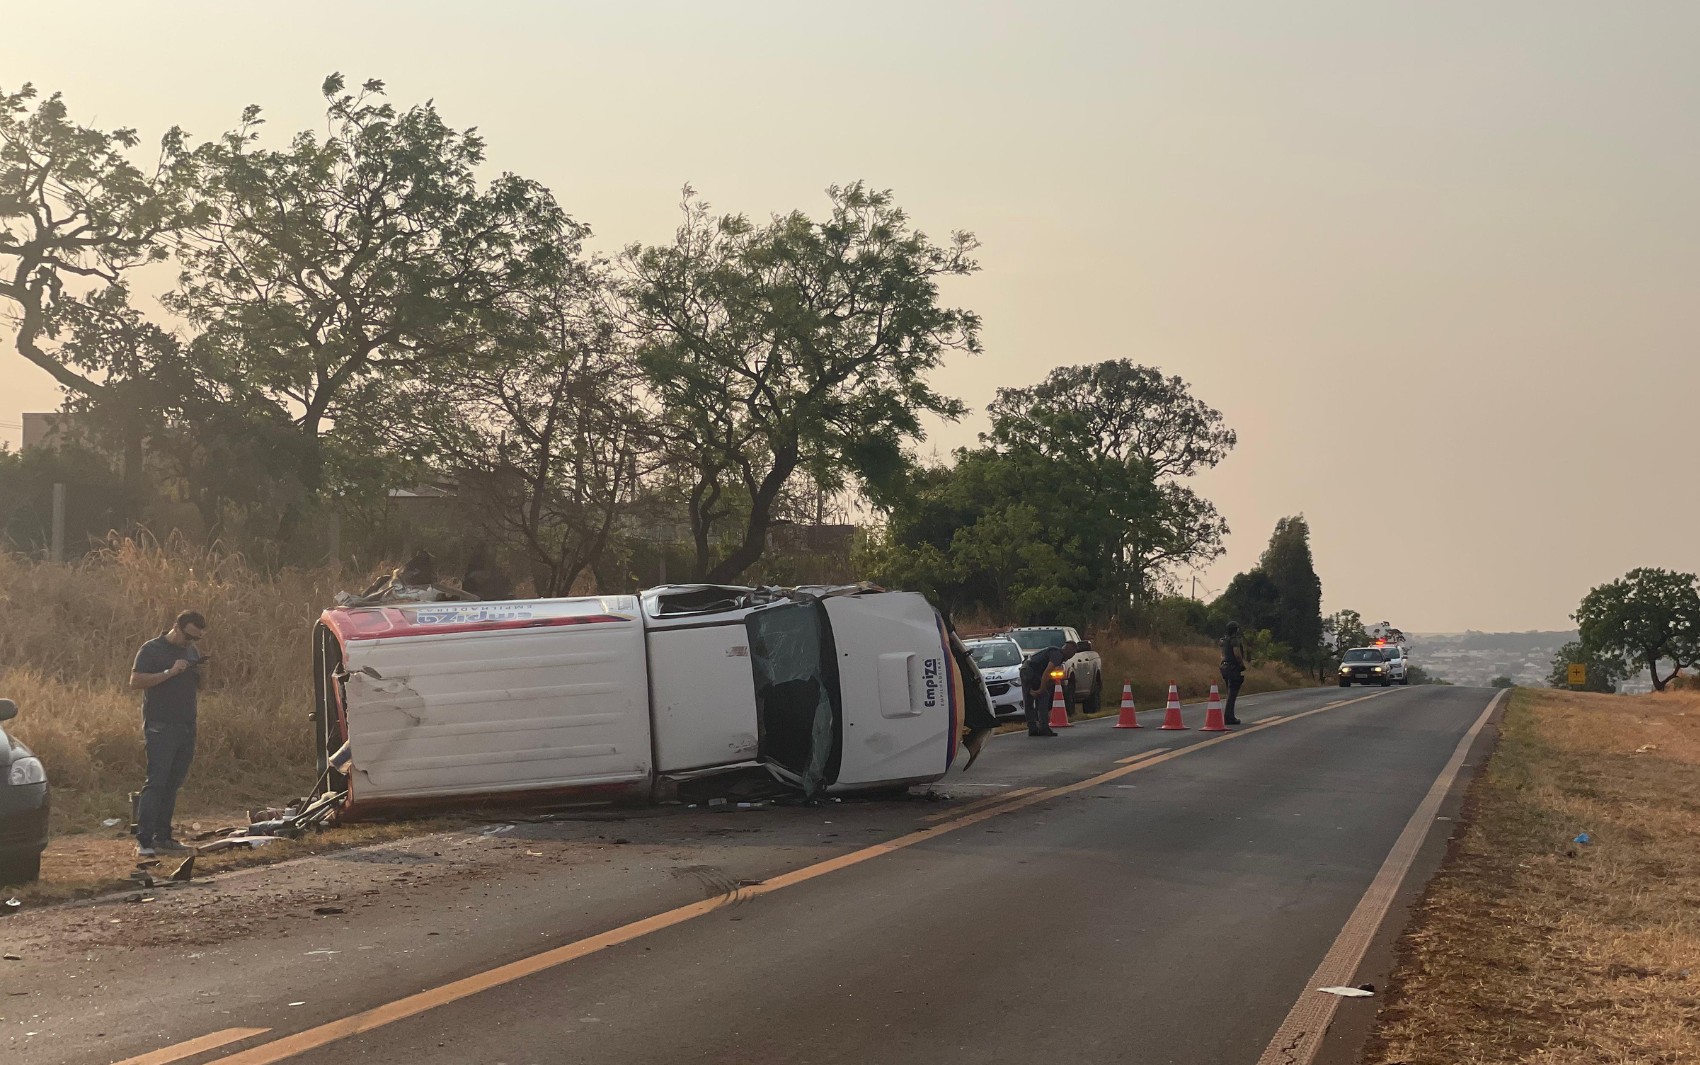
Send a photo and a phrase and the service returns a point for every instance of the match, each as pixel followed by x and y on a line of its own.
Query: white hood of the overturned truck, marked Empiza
pixel 902 693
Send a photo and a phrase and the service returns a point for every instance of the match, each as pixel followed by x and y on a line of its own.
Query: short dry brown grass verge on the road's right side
pixel 1533 948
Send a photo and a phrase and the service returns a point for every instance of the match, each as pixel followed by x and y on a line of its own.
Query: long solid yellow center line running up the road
pixel 467 988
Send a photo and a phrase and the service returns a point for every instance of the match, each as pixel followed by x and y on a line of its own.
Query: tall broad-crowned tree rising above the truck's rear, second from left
pixel 336 270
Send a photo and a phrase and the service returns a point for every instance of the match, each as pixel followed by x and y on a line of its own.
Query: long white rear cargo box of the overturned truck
pixel 460 700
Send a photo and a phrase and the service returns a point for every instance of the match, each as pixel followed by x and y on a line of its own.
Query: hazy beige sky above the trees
pixel 1437 263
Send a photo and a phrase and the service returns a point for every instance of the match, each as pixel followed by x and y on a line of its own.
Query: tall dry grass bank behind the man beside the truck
pixel 69 635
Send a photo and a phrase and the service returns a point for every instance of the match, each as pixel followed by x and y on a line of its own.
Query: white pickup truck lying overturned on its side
pixel 611 697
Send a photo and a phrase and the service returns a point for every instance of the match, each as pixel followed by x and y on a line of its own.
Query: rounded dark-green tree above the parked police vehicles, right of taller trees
pixel 1131 435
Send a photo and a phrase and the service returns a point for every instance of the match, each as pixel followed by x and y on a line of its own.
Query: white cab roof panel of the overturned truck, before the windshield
pixel 705 697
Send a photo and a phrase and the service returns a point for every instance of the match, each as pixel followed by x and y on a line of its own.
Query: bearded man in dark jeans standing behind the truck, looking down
pixel 169 675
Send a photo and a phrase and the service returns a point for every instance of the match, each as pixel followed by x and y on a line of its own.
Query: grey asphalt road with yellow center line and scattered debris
pixel 1172 913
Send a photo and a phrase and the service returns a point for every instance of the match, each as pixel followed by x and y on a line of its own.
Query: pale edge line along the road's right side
pixel 1300 1037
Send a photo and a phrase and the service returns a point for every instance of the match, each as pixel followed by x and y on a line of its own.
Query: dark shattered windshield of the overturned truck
pixel 796 693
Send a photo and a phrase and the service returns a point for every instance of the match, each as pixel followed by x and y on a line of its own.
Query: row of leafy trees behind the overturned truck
pixel 354 309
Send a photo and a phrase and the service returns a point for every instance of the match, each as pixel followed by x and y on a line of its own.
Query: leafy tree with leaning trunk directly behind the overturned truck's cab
pixel 793 346
